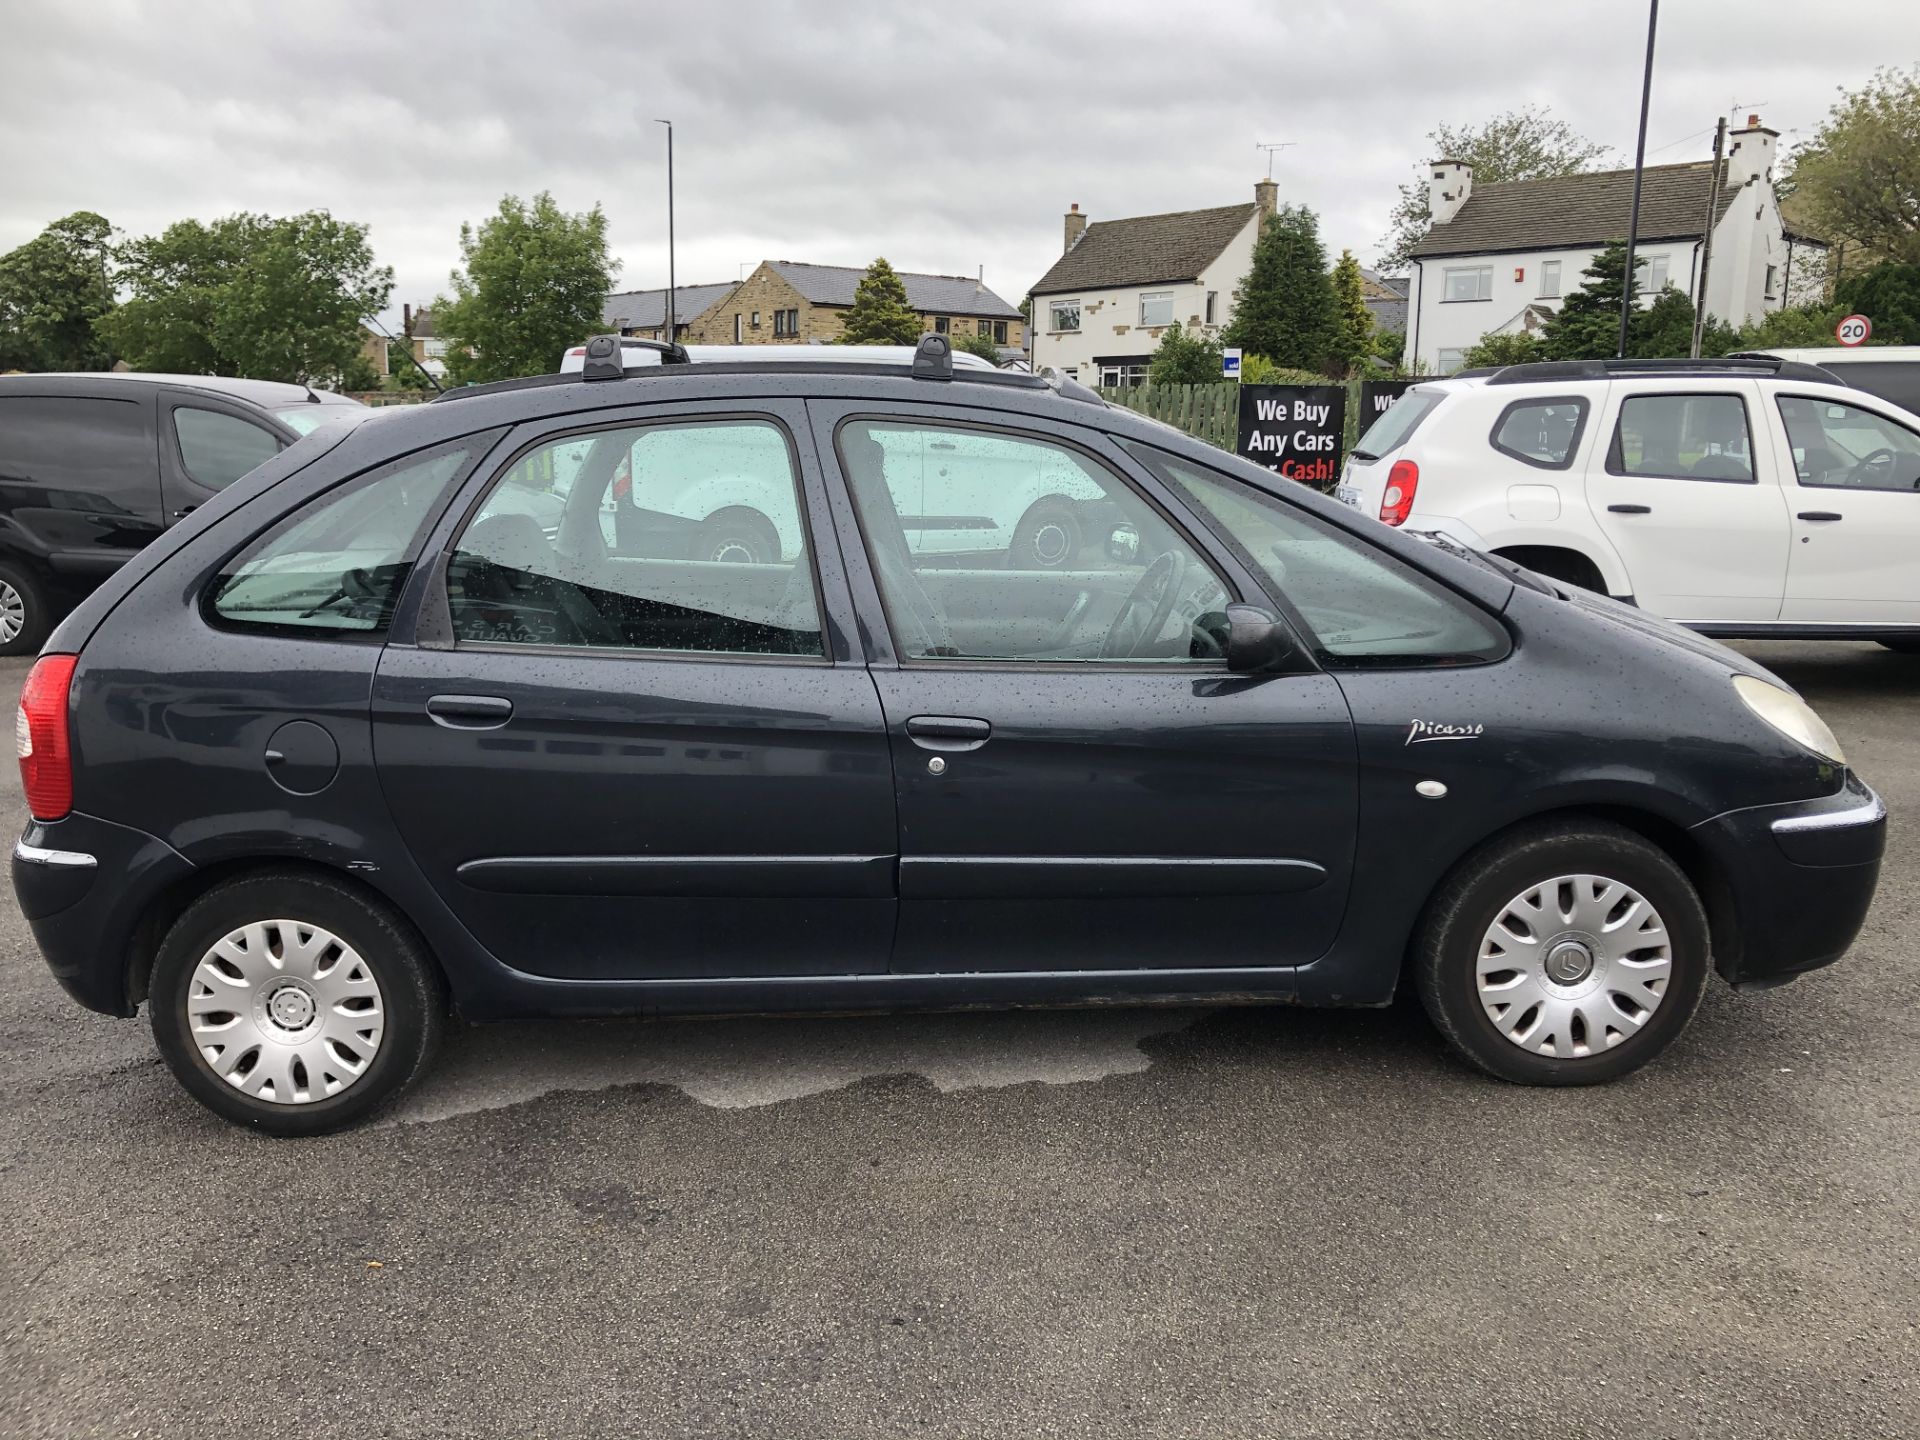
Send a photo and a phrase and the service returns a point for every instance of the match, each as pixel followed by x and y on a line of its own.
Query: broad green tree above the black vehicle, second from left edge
pixel 251 295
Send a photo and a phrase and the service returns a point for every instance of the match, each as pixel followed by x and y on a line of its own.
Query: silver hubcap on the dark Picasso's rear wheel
pixel 285 1011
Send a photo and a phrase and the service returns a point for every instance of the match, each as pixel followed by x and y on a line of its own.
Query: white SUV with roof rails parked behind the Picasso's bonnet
pixel 1742 498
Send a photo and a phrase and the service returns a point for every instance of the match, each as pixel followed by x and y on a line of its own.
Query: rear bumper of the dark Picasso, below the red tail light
pixel 84 886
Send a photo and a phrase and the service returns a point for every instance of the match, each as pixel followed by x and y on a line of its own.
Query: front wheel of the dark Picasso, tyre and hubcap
pixel 1568 953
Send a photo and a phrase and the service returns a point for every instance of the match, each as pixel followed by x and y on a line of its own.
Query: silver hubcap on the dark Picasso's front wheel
pixel 1573 967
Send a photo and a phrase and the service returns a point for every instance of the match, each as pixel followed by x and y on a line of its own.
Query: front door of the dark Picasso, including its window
pixel 1082 784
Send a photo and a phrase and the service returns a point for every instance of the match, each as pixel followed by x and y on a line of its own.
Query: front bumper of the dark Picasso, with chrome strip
pixel 1796 882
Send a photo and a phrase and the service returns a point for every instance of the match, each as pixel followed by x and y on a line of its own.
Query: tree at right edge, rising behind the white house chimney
pixel 1858 180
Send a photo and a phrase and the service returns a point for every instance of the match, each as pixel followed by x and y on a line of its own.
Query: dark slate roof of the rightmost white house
pixel 1579 210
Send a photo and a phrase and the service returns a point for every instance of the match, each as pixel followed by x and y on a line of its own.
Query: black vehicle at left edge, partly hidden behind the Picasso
pixel 93 468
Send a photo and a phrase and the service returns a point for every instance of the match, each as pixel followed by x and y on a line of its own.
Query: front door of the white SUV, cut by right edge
pixel 1856 554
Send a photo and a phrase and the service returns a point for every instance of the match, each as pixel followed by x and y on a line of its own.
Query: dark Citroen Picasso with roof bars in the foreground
pixel 364 744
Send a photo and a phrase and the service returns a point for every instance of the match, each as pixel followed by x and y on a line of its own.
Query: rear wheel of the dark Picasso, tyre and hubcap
pixel 295 1005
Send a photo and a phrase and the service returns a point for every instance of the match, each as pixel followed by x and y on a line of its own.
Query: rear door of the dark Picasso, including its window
pixel 619 763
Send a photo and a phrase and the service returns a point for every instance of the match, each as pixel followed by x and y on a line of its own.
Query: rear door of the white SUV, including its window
pixel 1691 498
